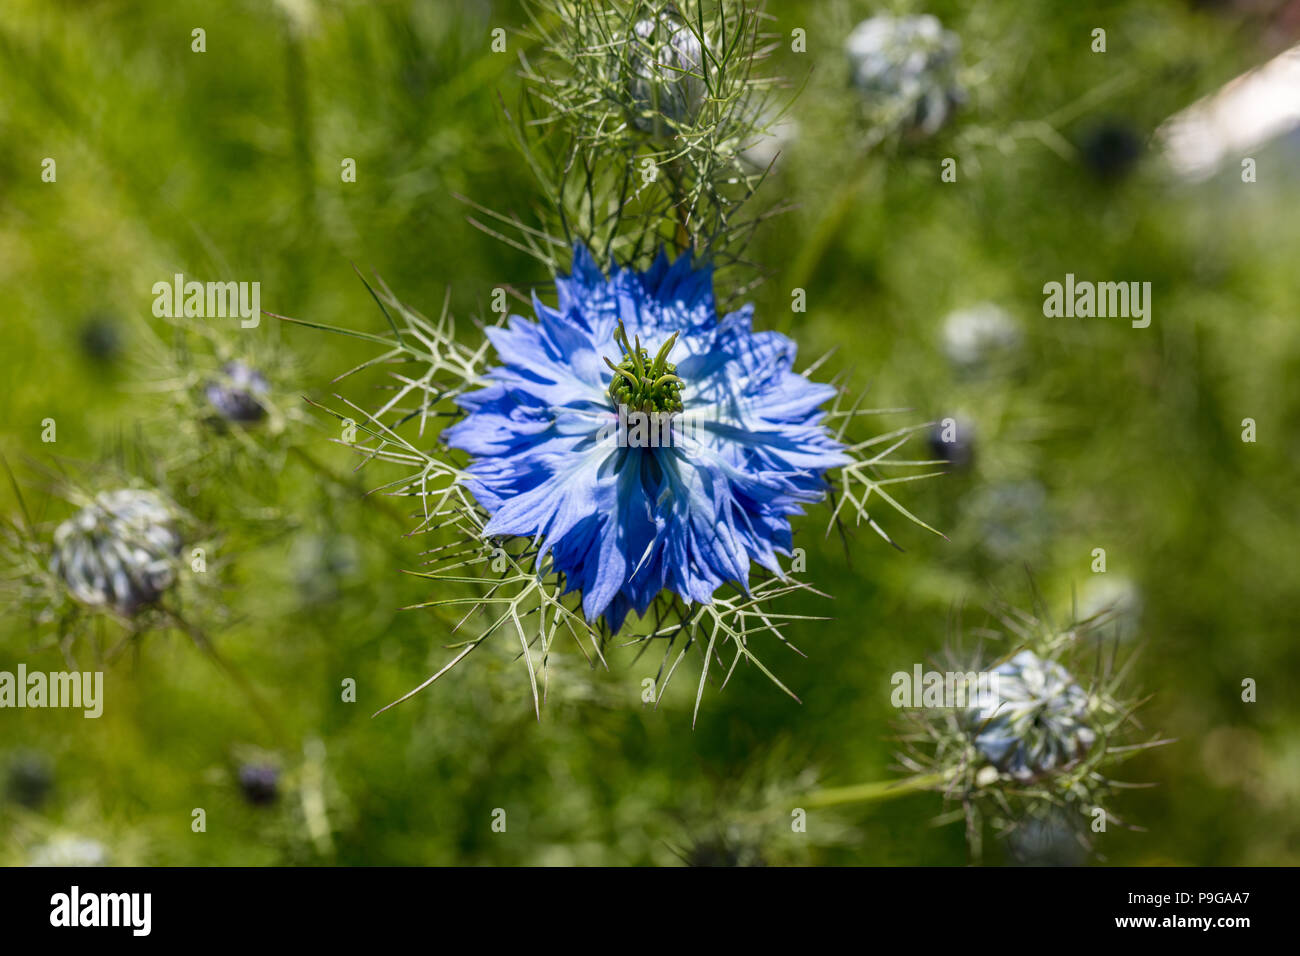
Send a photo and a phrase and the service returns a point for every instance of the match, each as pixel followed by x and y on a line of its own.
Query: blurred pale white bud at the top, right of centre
pixel 907 66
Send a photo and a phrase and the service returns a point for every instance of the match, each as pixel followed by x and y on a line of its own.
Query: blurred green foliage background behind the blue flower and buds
pixel 1078 434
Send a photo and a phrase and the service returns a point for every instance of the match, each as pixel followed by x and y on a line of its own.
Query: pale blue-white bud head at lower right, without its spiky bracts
pixel 1039 724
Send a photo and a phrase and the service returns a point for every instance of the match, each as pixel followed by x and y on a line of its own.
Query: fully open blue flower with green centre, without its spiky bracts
pixel 743 449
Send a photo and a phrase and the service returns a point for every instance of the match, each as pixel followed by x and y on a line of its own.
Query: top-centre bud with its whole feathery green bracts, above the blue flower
pixel 621 92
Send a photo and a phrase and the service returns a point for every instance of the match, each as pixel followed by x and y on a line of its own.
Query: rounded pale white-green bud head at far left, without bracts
pixel 119 552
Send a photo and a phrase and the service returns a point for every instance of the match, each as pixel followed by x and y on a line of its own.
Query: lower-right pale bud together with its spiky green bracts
pixel 1035 765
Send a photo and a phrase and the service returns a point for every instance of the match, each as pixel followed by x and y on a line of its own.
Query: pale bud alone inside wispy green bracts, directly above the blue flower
pixel 668 79
